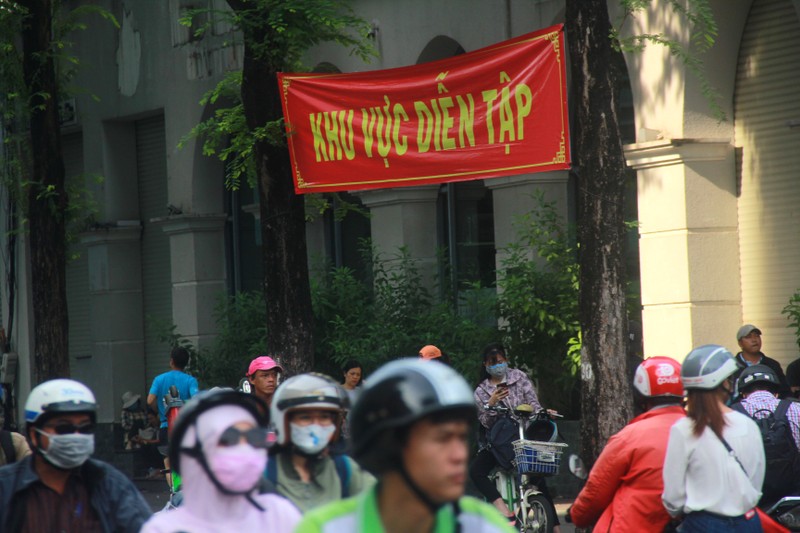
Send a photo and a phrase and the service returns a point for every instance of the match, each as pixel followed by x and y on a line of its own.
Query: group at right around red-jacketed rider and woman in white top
pixel 716 444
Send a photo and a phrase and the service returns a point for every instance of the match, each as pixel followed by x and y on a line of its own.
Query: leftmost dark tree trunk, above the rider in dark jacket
pixel 47 199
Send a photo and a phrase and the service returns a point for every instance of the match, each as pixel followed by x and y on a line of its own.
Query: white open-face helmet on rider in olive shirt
pixel 306 391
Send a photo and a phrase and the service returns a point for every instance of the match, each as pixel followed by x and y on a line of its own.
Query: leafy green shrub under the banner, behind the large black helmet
pixel 393 314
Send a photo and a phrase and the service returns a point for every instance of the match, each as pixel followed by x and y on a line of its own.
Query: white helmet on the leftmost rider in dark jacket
pixel 59 396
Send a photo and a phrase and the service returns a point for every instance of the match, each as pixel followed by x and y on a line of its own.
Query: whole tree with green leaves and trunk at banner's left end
pixel 249 137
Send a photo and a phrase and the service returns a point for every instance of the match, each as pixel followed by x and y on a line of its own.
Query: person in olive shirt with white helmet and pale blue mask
pixel 306 411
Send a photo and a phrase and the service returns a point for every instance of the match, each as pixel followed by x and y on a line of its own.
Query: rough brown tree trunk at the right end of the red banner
pixel 600 166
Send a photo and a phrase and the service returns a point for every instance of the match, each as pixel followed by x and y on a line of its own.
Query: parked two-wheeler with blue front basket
pixel 535 458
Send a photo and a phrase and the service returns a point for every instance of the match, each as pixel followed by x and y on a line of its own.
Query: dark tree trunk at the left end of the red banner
pixel 290 318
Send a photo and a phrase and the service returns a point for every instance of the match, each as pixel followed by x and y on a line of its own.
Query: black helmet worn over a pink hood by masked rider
pixel 204 401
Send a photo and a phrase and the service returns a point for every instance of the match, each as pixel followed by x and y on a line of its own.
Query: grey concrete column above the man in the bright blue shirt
pixel 197 255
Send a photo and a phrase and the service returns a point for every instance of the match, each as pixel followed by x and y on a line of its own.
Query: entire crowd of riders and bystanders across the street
pixel 390 451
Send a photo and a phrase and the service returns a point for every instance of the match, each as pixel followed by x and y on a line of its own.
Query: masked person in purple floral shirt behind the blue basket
pixel 508 387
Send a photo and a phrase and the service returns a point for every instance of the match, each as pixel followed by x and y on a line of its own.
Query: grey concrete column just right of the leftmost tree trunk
pixel 116 363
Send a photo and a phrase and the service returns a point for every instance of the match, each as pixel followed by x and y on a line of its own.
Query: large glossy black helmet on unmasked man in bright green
pixel 396 396
